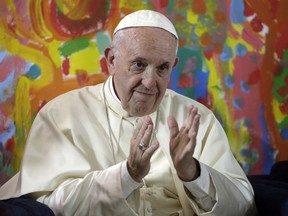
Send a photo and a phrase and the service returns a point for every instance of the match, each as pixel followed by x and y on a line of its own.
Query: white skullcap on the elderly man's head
pixel 146 18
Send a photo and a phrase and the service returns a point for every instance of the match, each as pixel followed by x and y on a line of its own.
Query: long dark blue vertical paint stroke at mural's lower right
pixel 268 153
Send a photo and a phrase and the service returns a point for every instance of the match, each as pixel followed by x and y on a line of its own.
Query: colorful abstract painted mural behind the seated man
pixel 233 59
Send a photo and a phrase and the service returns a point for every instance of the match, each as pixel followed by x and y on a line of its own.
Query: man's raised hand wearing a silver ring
pixel 138 163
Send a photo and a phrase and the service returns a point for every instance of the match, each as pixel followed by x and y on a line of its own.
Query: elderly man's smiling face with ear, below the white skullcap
pixel 141 65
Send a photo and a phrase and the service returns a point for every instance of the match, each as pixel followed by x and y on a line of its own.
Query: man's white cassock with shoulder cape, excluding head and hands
pixel 75 161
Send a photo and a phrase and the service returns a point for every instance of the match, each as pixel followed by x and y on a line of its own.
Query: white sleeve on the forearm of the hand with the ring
pixel 98 193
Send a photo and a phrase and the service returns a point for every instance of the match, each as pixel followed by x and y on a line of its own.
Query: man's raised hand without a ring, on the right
pixel 182 145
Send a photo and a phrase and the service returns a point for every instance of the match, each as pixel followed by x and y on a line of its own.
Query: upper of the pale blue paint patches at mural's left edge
pixel 7 87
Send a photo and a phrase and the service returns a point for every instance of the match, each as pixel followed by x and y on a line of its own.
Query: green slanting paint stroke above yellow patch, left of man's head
pixel 72 46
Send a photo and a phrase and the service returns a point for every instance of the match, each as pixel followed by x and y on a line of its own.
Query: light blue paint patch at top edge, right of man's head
pixel 237 12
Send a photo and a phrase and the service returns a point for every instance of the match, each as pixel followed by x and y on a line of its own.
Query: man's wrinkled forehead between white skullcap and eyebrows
pixel 149 42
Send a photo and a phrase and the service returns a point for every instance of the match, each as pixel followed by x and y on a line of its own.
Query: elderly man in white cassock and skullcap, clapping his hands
pixel 116 148
